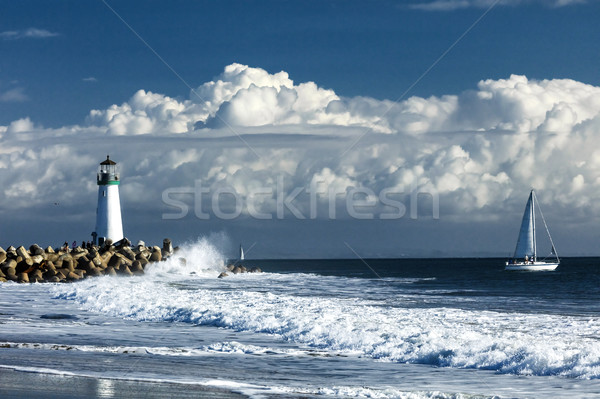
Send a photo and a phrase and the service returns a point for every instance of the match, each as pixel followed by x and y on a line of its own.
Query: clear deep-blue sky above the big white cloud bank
pixel 358 48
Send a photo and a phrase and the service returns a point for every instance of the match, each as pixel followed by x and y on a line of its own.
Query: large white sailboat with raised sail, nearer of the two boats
pixel 525 257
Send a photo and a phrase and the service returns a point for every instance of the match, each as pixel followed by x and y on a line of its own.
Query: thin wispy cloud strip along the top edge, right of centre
pixel 449 5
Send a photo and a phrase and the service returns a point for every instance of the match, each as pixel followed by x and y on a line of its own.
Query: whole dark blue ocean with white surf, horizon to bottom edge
pixel 345 328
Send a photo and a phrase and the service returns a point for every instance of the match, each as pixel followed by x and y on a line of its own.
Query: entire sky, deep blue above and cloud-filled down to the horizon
pixel 303 129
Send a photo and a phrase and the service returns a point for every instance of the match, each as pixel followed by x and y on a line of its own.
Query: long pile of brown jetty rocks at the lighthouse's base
pixel 61 265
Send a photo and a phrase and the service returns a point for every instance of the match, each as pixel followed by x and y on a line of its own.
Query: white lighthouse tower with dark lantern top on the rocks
pixel 108 213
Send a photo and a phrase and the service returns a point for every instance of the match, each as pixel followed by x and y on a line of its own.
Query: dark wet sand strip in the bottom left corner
pixel 20 384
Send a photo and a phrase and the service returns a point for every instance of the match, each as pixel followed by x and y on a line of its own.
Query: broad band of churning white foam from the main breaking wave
pixel 512 343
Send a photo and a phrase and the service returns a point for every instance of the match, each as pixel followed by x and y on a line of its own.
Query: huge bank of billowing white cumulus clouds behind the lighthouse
pixel 480 150
